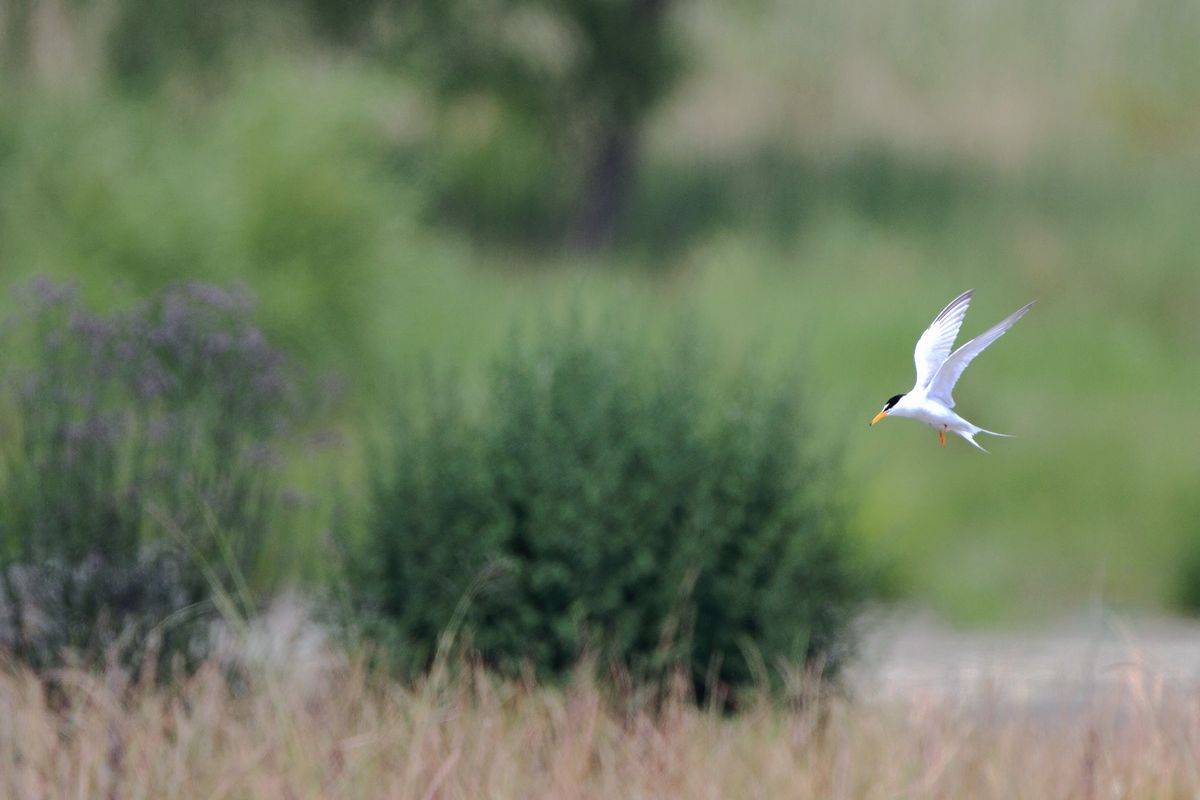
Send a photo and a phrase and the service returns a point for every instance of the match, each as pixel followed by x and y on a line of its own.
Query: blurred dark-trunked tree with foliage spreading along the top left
pixel 541 104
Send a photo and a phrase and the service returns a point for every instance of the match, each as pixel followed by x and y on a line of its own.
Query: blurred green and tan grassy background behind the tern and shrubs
pixel 825 181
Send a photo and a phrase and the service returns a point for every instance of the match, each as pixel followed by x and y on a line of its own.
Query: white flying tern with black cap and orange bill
pixel 931 399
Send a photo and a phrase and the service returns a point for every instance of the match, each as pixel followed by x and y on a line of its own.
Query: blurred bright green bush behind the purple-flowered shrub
pixel 283 183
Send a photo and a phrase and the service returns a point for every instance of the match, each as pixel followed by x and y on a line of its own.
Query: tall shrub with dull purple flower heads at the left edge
pixel 141 461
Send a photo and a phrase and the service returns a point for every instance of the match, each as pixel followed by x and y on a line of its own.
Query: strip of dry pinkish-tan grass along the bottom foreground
pixel 341 732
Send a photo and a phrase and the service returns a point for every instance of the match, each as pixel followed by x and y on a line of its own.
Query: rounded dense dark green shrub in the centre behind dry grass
pixel 614 498
